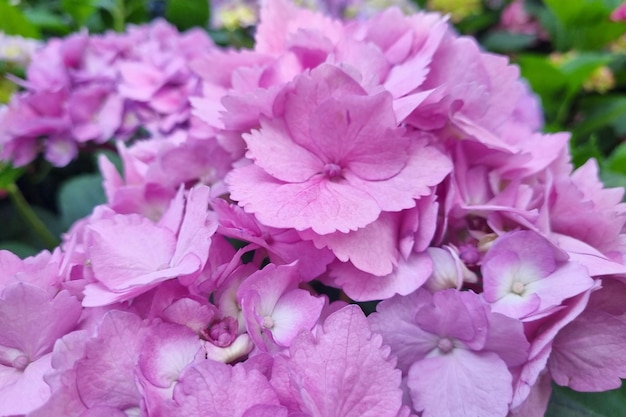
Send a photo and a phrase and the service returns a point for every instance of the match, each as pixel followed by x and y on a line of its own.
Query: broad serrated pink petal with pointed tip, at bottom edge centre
pixel 343 370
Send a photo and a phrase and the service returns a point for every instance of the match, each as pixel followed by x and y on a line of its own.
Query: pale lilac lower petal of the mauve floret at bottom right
pixel 461 384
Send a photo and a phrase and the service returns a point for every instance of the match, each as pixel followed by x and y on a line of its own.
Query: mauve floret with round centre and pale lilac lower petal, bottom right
pixel 452 337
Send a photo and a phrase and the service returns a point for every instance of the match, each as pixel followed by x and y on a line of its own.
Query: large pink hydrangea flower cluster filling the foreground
pixel 388 158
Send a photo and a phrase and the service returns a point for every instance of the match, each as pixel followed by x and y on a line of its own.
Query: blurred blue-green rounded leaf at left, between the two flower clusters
pixel 78 196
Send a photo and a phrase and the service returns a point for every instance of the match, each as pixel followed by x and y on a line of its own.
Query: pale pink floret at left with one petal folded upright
pixel 148 253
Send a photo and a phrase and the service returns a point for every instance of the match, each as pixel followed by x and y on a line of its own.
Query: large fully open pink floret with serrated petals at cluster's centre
pixel 333 158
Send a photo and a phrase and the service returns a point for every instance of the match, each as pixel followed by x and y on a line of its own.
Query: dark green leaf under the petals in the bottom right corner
pixel 568 403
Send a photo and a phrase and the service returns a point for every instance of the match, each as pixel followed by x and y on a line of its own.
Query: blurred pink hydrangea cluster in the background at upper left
pixel 86 88
